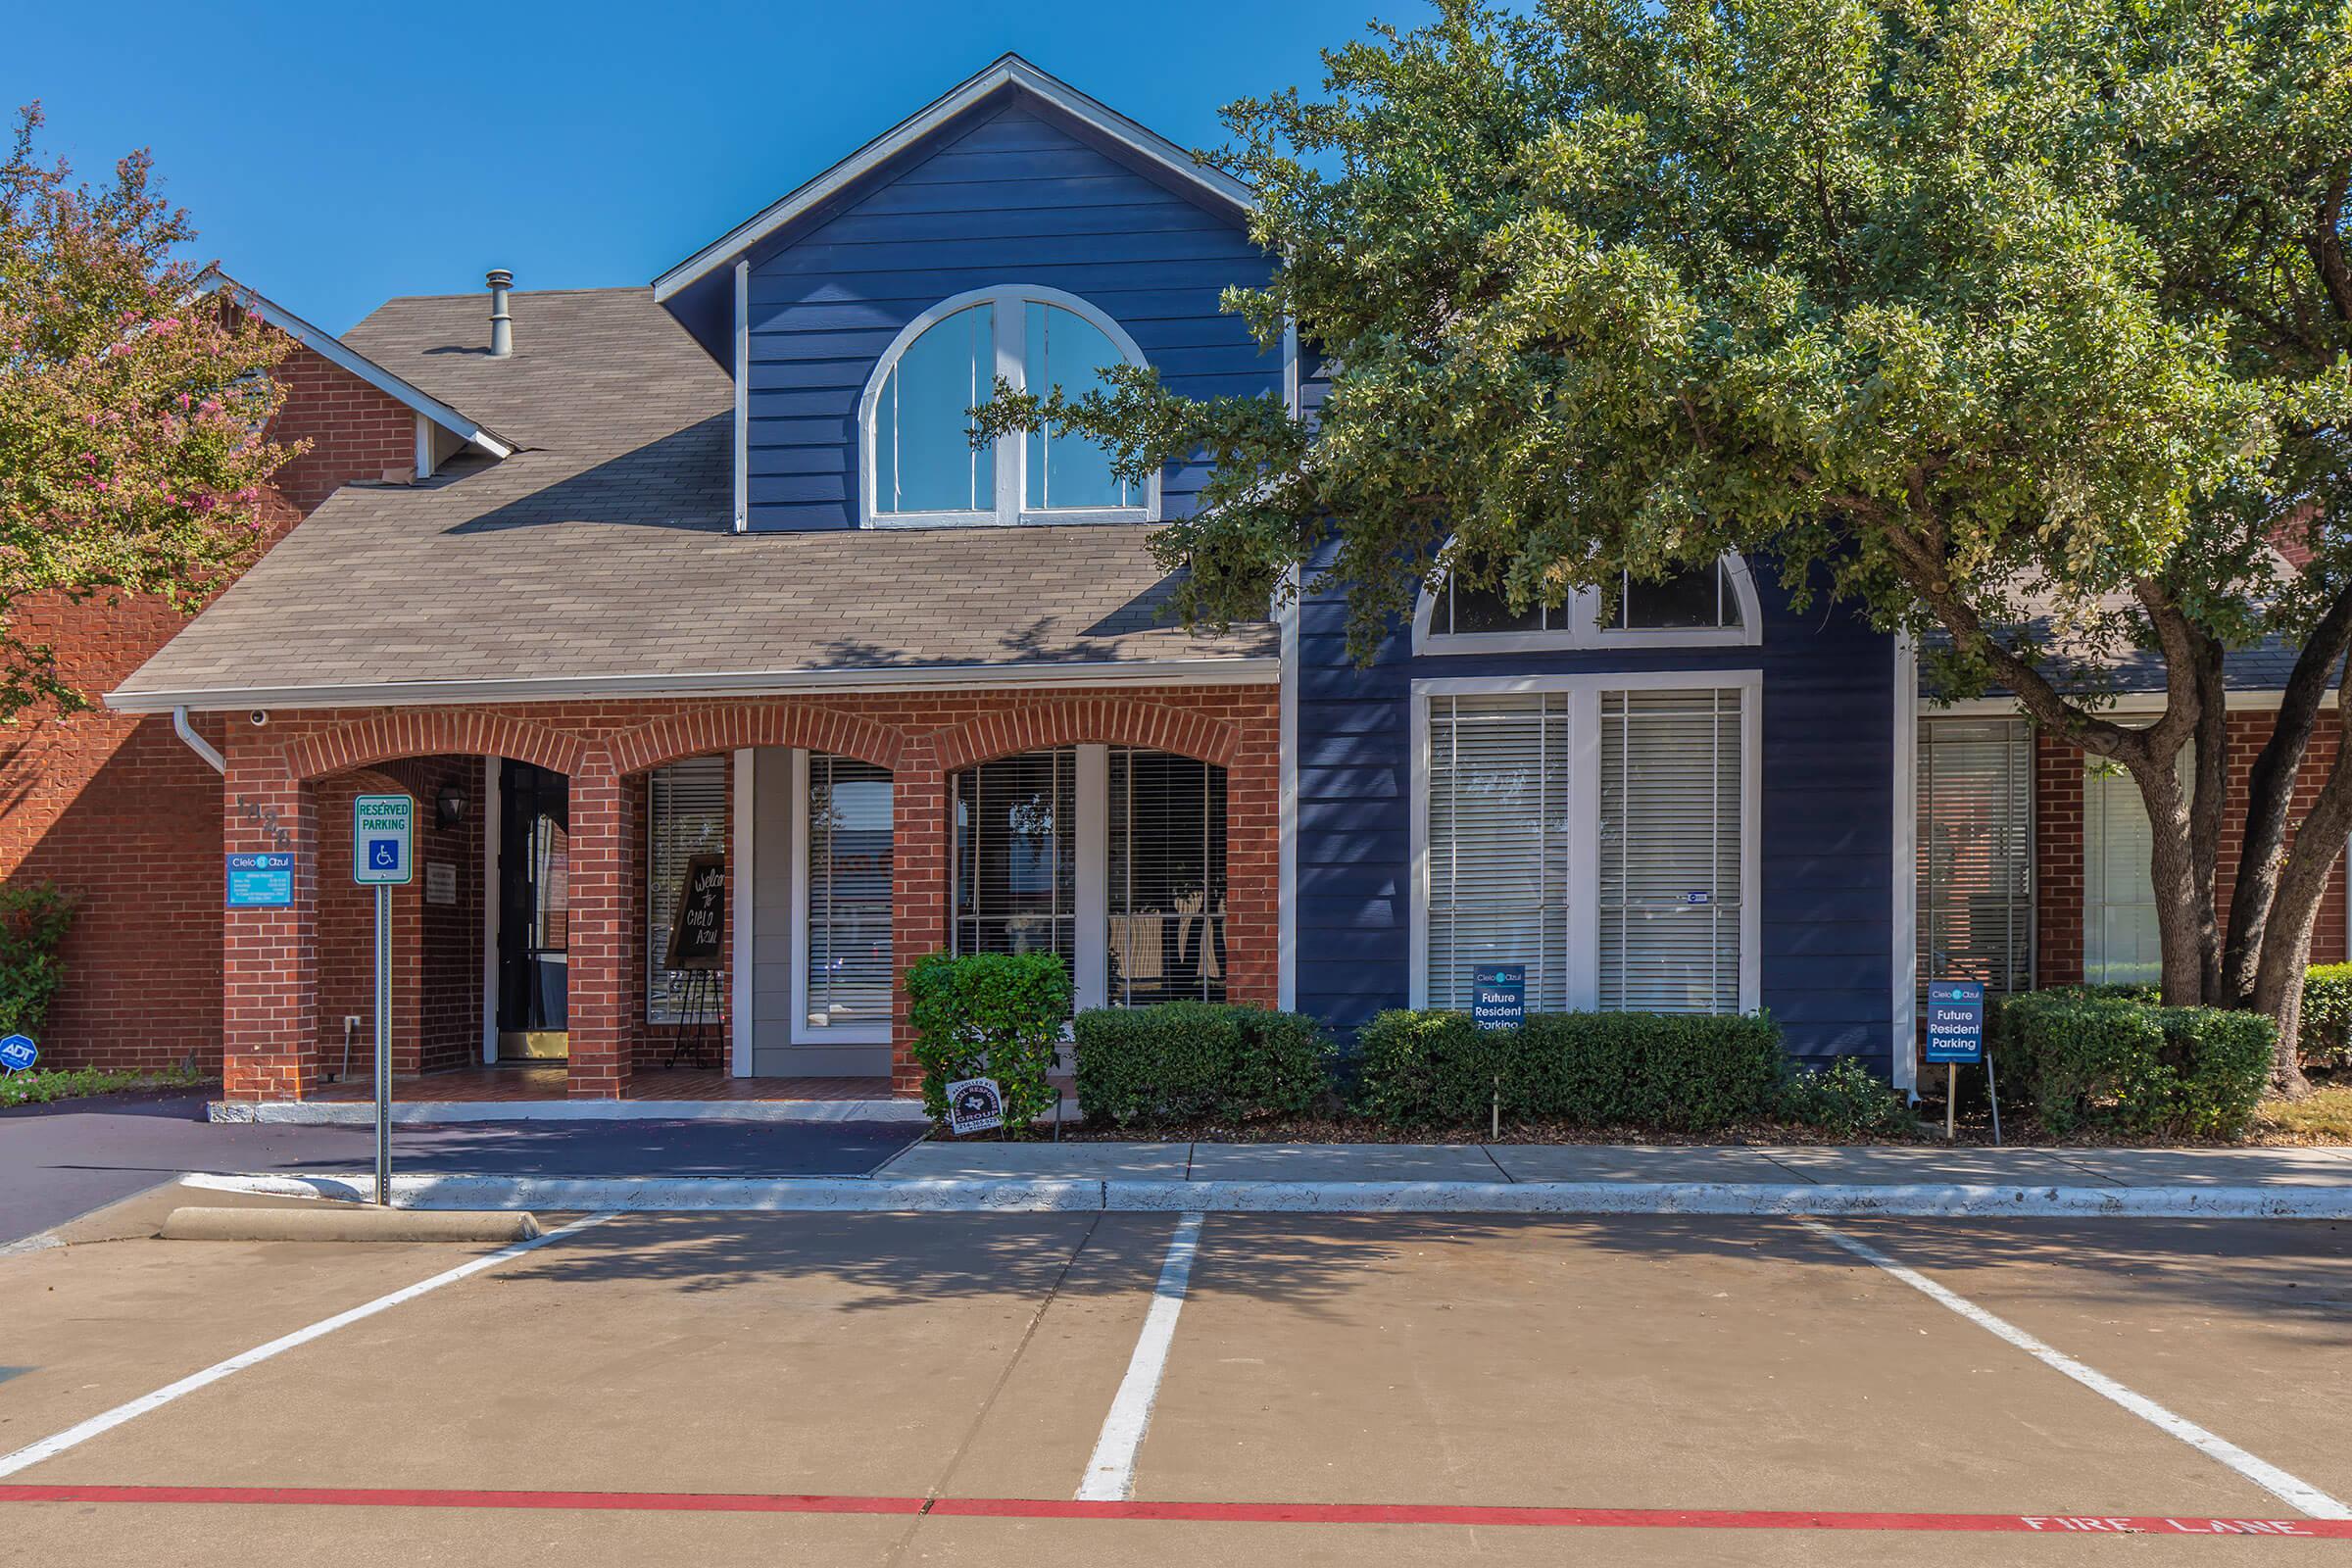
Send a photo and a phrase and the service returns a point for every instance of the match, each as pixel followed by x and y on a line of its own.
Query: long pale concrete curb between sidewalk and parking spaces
pixel 1041 1195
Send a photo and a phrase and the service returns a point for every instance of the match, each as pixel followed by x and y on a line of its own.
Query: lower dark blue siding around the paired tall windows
pixel 1826 815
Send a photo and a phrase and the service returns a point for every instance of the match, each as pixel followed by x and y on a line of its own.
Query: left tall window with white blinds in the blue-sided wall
pixel 1499 845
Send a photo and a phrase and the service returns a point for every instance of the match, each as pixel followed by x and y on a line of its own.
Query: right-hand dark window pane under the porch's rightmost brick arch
pixel 1168 878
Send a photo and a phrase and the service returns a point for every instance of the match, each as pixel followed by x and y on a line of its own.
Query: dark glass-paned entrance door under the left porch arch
pixel 535 930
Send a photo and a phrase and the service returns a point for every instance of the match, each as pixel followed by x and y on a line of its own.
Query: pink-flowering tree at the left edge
pixel 133 413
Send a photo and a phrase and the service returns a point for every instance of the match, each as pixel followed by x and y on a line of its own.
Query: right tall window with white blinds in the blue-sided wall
pixel 1671 852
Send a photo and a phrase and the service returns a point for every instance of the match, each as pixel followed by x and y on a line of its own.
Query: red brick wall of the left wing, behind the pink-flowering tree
pixel 126 817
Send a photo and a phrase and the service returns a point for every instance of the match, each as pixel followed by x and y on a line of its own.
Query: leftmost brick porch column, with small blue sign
pixel 269 958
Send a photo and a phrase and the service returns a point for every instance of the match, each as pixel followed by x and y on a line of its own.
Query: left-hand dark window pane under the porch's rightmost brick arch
pixel 1015 855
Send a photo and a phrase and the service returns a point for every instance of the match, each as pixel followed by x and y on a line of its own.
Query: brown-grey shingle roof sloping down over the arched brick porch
pixel 603 549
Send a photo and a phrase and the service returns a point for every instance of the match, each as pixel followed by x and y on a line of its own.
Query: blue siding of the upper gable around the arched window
pixel 1003 196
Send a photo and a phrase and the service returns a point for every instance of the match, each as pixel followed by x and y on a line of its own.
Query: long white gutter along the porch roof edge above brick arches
pixel 1238 671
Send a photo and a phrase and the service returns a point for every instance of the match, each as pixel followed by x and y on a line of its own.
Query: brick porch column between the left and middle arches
pixel 599 934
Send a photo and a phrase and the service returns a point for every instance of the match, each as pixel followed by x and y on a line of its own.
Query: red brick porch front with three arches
pixel 293 777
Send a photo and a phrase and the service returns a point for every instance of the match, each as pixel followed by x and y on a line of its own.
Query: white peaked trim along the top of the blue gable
pixel 1008 72
